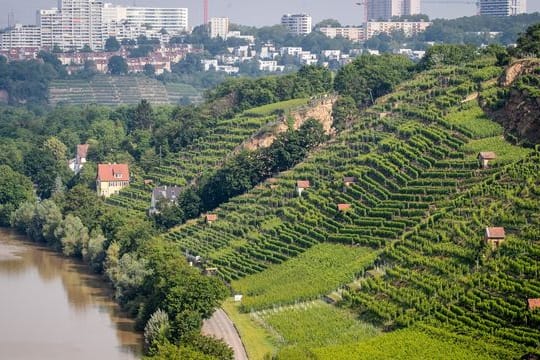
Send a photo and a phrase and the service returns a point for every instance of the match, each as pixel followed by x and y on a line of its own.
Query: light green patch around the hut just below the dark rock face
pixel 505 151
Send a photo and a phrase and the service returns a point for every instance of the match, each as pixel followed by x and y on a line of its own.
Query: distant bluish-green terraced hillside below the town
pixel 116 90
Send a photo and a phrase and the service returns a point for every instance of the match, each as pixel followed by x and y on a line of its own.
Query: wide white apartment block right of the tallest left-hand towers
pixel 173 20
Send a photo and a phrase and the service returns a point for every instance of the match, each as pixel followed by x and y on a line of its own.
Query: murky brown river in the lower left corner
pixel 54 308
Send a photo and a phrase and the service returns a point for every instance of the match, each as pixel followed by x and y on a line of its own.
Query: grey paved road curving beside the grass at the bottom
pixel 220 326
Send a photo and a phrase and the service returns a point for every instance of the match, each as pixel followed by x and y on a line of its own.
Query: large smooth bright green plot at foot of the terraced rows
pixel 315 272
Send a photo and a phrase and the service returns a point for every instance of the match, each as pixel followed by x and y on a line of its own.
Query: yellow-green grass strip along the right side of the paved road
pixel 257 341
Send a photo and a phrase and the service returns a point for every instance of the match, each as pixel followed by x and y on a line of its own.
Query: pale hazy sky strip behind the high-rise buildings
pixel 253 12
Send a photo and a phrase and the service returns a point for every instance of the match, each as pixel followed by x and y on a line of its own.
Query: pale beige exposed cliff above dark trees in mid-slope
pixel 318 109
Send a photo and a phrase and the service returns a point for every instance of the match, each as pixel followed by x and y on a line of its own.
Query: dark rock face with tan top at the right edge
pixel 520 115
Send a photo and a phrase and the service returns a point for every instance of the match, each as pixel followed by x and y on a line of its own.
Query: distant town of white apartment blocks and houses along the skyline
pixel 91 32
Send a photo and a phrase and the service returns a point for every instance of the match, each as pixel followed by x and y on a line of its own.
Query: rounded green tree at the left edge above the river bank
pixel 15 189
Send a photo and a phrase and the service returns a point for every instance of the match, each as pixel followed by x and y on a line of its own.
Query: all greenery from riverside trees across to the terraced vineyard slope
pixel 406 257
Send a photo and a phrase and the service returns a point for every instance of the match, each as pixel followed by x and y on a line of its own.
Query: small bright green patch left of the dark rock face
pixel 475 120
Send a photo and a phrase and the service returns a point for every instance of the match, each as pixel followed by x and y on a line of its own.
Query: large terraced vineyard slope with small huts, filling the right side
pixel 412 219
